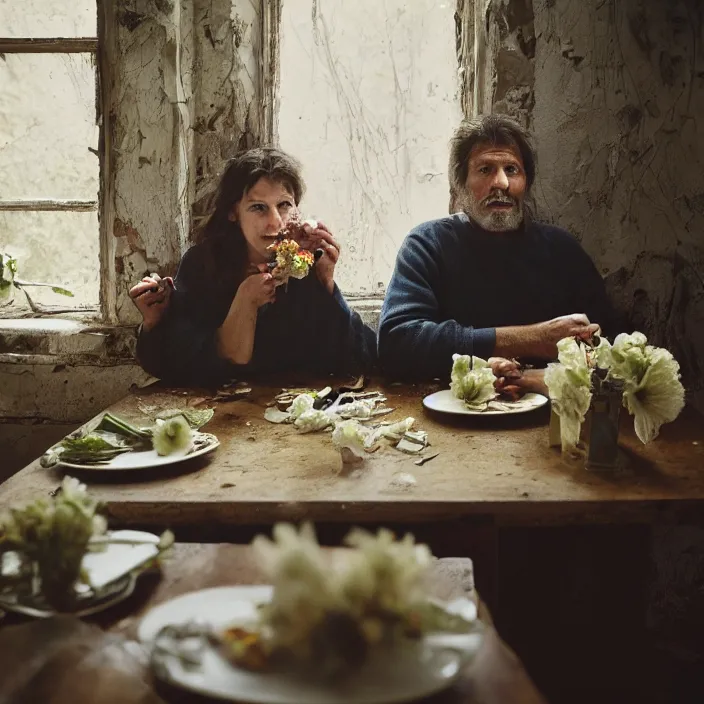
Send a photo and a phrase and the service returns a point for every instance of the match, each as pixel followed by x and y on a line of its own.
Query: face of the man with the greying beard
pixel 495 187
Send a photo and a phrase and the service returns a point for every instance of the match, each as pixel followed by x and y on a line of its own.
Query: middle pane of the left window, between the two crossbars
pixel 47 124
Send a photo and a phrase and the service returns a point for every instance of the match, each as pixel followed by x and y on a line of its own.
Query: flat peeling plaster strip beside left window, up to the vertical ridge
pixel 149 128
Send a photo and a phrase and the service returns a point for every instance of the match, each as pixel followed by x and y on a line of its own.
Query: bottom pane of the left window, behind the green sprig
pixel 55 248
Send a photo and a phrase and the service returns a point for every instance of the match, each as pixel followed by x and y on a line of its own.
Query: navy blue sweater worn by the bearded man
pixel 455 283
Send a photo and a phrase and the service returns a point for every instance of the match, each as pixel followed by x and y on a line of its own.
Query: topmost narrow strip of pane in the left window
pixel 48 18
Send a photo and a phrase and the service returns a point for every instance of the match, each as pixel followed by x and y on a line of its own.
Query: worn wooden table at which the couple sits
pixel 501 468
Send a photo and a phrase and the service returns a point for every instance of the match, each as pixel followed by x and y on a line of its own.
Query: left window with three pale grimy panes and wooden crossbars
pixel 49 159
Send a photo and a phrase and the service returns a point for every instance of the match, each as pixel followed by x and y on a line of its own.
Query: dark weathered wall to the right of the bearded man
pixel 614 94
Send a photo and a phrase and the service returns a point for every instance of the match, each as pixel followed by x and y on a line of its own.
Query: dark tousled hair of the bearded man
pixel 497 130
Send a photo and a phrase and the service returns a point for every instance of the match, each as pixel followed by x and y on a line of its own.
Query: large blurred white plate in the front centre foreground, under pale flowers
pixel 400 677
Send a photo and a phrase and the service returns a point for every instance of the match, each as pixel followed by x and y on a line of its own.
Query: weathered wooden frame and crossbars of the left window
pixel 60 45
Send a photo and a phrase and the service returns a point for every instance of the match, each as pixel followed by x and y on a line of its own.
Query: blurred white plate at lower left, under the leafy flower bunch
pixel 112 572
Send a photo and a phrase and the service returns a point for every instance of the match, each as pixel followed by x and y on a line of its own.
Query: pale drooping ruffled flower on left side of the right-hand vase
pixel 569 388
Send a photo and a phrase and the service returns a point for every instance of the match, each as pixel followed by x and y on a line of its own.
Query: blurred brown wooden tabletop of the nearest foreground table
pixel 41 661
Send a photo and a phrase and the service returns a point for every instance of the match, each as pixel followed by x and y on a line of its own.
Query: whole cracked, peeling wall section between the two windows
pixel 184 99
